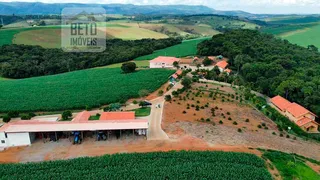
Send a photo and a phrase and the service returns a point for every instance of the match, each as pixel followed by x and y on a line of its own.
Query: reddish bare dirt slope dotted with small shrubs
pixel 232 123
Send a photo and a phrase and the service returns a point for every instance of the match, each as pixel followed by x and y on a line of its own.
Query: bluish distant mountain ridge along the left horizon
pixel 23 8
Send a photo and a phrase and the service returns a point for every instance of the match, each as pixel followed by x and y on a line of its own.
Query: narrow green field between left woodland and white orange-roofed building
pixel 186 48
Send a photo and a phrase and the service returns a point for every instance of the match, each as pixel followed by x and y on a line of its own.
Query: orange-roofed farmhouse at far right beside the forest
pixel 296 113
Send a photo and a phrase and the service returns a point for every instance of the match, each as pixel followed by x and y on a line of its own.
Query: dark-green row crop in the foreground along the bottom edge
pixel 157 165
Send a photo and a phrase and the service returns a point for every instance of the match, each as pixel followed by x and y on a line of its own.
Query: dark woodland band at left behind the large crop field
pixel 22 61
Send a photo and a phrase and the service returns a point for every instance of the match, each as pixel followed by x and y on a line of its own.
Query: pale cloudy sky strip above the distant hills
pixel 253 6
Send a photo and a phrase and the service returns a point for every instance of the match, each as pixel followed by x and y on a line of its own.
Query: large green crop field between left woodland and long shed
pixel 78 89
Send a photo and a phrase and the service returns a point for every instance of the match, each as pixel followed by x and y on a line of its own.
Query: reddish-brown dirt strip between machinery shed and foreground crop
pixel 64 149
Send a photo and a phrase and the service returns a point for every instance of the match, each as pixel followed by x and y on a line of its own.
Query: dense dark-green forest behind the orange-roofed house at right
pixel 270 65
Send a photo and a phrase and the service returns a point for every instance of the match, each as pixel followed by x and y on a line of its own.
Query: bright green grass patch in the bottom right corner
pixel 291 166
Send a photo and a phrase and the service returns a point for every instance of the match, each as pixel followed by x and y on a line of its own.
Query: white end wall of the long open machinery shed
pixel 18 139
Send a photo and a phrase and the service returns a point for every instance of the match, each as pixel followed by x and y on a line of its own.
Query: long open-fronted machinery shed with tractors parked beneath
pixel 24 132
